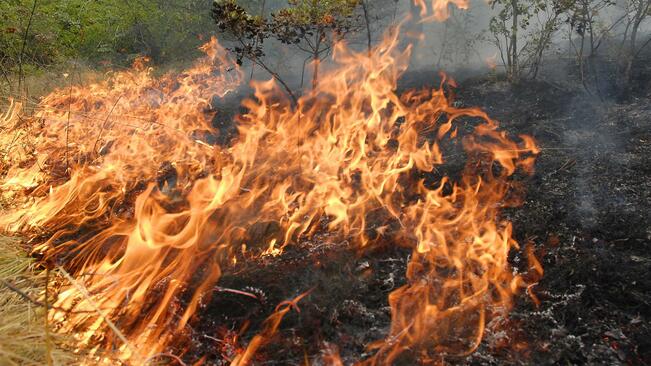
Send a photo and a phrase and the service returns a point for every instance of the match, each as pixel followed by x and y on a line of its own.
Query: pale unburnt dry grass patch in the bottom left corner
pixel 24 339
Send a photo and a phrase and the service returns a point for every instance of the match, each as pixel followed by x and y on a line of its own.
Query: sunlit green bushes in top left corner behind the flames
pixel 107 31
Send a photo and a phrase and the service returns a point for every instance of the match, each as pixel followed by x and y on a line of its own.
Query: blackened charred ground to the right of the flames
pixel 588 209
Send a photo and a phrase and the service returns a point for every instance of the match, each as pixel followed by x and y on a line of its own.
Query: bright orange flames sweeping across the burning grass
pixel 125 190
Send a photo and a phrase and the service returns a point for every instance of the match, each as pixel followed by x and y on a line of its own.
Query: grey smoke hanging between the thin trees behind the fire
pixel 463 46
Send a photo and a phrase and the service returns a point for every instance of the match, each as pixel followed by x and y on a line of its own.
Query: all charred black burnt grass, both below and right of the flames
pixel 587 212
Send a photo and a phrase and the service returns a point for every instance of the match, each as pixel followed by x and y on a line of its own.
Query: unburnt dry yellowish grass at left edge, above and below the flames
pixel 25 339
